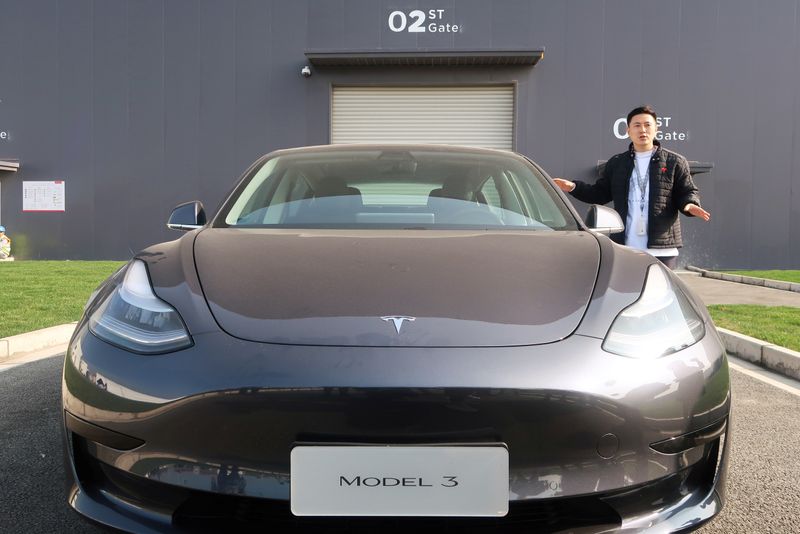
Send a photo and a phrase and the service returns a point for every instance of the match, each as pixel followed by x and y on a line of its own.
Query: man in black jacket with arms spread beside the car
pixel 649 186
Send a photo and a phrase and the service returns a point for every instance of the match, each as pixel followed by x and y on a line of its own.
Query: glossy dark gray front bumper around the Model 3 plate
pixel 210 428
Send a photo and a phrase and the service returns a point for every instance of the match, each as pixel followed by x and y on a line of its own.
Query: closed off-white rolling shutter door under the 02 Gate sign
pixel 476 116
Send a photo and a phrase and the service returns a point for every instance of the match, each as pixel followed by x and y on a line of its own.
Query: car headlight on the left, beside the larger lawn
pixel 134 318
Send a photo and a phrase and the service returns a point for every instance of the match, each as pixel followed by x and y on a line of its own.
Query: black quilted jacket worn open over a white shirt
pixel 671 188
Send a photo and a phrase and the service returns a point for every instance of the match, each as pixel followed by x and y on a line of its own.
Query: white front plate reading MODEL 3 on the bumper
pixel 463 481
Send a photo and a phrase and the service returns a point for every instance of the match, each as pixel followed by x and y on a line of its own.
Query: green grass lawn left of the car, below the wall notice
pixel 38 294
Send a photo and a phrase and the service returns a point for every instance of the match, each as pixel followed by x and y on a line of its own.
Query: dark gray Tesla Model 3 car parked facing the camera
pixel 368 337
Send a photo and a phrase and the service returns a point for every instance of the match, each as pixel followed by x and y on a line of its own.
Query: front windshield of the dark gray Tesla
pixel 396 188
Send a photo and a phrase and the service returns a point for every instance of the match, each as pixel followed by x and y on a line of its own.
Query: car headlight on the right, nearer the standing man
pixel 661 322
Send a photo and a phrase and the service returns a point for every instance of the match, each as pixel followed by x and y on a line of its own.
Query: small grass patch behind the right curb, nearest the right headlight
pixel 775 324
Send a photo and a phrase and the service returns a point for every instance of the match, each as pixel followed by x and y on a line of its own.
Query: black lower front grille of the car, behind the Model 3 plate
pixel 199 511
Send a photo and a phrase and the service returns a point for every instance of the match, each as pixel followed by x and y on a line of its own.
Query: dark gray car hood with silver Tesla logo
pixel 352 287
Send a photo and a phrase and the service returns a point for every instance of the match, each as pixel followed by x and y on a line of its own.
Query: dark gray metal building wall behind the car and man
pixel 141 104
